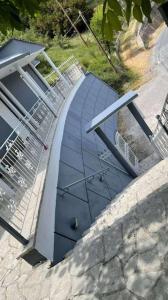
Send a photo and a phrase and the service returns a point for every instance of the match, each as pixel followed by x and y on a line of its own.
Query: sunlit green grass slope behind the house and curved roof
pixel 91 57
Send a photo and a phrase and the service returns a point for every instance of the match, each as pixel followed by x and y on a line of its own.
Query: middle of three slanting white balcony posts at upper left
pixel 35 88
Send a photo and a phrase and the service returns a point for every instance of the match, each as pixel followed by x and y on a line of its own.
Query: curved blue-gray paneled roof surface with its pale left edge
pixel 70 192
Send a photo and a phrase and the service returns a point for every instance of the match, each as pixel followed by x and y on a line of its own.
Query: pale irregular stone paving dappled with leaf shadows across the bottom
pixel 124 255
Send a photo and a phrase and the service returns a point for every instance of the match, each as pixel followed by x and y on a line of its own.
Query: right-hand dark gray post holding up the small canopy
pixel 137 115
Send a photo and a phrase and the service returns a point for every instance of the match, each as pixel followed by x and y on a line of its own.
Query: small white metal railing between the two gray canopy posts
pixel 126 151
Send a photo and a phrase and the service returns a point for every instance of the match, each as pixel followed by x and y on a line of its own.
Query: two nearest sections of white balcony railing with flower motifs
pixel 20 156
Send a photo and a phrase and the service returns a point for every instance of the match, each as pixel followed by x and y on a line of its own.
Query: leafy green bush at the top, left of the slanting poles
pixel 51 20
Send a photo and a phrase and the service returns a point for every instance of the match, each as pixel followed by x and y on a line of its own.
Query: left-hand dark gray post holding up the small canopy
pixel 115 152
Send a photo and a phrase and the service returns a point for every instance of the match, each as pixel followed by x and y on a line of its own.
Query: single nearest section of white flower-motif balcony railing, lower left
pixel 18 170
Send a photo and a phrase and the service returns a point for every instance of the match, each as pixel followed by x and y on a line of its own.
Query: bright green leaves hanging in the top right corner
pixel 116 12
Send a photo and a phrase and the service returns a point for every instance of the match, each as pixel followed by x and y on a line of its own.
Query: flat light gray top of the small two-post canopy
pixel 116 106
